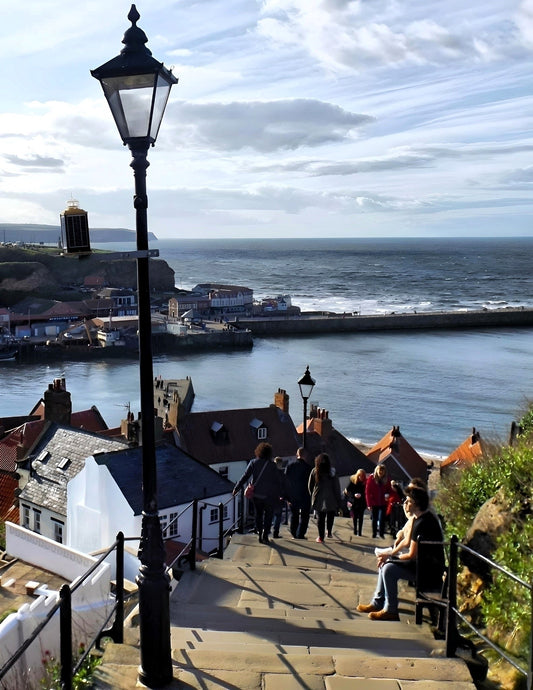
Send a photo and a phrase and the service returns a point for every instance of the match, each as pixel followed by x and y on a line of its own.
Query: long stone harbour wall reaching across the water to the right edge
pixel 325 322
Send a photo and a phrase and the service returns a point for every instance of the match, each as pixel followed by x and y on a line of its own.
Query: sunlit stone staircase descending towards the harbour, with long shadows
pixel 282 617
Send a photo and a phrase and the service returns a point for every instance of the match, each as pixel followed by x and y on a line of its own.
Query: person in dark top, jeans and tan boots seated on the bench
pixel 426 527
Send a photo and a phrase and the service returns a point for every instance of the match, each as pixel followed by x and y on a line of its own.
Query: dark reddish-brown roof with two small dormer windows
pixel 231 435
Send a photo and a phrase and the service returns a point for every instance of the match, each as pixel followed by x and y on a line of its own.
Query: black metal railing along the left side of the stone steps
pixel 116 631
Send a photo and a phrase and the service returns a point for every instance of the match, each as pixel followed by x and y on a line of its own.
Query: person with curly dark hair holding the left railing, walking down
pixel 266 478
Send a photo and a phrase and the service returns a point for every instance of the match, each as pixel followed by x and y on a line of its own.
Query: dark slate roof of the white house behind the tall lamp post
pixel 180 478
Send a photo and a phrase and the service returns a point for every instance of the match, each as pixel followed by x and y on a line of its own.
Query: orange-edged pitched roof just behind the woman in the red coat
pixel 400 458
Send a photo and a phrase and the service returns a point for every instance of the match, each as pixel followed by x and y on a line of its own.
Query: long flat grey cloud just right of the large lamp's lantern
pixel 265 126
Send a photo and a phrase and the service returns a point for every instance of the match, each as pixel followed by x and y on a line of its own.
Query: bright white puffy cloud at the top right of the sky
pixel 347 36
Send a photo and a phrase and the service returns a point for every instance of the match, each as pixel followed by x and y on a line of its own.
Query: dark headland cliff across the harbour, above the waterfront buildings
pixel 41 271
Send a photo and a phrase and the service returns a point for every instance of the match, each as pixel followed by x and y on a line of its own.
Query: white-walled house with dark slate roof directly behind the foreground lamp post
pixel 105 497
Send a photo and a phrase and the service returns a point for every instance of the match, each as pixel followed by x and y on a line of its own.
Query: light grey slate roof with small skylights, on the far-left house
pixel 58 456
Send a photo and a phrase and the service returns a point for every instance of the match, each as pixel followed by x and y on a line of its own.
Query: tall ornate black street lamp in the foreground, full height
pixel 137 88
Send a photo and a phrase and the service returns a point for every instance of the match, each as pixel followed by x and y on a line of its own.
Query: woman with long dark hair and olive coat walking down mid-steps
pixel 325 493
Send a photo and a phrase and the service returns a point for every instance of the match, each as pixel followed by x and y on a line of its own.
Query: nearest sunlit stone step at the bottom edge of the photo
pixel 253 670
